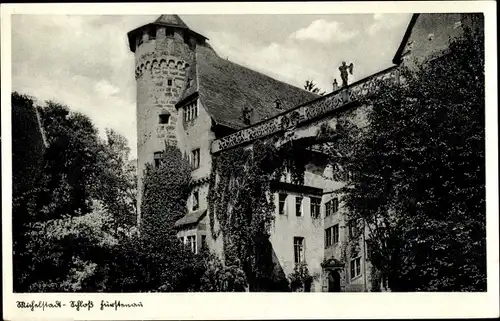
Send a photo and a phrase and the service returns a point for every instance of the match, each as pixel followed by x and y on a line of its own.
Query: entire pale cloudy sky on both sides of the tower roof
pixel 84 61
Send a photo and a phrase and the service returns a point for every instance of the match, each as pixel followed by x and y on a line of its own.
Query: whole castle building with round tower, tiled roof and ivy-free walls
pixel 189 96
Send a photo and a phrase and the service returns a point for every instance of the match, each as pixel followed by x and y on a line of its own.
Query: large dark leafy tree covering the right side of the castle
pixel 417 173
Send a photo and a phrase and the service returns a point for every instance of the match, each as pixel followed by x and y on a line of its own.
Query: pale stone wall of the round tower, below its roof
pixel 161 67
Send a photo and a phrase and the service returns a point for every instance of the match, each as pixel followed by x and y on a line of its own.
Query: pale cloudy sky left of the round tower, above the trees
pixel 79 61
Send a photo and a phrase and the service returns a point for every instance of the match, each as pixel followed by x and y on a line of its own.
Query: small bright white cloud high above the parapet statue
pixel 324 32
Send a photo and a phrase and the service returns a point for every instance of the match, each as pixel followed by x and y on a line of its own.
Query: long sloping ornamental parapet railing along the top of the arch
pixel 309 111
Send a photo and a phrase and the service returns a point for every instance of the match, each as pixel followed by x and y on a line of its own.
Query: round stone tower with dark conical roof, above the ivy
pixel 164 51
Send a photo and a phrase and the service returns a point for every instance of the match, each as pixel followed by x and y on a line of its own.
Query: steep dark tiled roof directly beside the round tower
pixel 226 89
